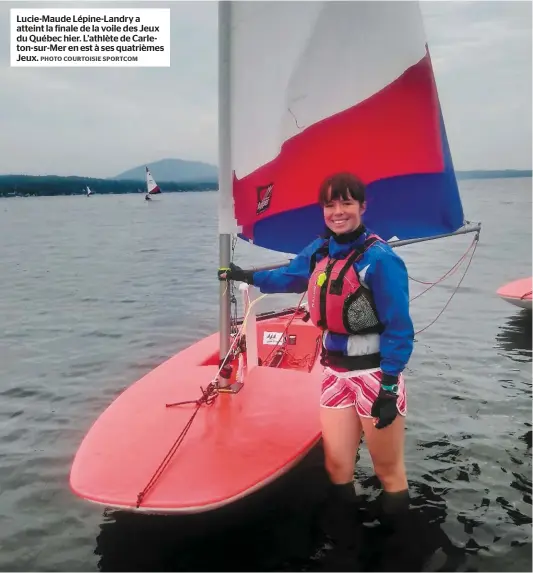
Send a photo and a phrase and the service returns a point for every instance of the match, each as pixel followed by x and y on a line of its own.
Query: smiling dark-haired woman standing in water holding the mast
pixel 358 295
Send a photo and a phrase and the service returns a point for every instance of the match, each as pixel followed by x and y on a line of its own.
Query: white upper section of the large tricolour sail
pixel 293 64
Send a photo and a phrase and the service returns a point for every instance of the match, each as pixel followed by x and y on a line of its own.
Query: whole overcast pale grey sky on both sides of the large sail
pixel 99 122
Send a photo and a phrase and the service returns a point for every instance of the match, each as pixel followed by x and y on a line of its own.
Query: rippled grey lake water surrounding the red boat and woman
pixel 97 291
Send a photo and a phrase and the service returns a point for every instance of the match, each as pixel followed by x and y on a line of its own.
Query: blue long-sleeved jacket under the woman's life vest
pixel 382 271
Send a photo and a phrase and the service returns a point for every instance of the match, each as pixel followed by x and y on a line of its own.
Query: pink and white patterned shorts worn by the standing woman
pixel 359 389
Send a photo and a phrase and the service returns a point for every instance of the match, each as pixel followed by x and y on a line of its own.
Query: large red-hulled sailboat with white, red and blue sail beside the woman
pixel 306 89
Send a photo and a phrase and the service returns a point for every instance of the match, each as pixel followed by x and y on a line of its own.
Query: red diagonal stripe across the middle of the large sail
pixel 394 132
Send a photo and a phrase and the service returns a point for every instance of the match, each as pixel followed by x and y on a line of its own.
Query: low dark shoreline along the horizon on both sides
pixel 52 185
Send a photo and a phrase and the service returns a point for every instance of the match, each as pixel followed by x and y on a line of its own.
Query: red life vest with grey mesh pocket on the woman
pixel 333 292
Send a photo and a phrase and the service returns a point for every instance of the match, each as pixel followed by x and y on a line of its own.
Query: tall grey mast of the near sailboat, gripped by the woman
pixel 225 179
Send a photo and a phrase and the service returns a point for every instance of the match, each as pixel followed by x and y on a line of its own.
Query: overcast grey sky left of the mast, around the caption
pixel 100 121
